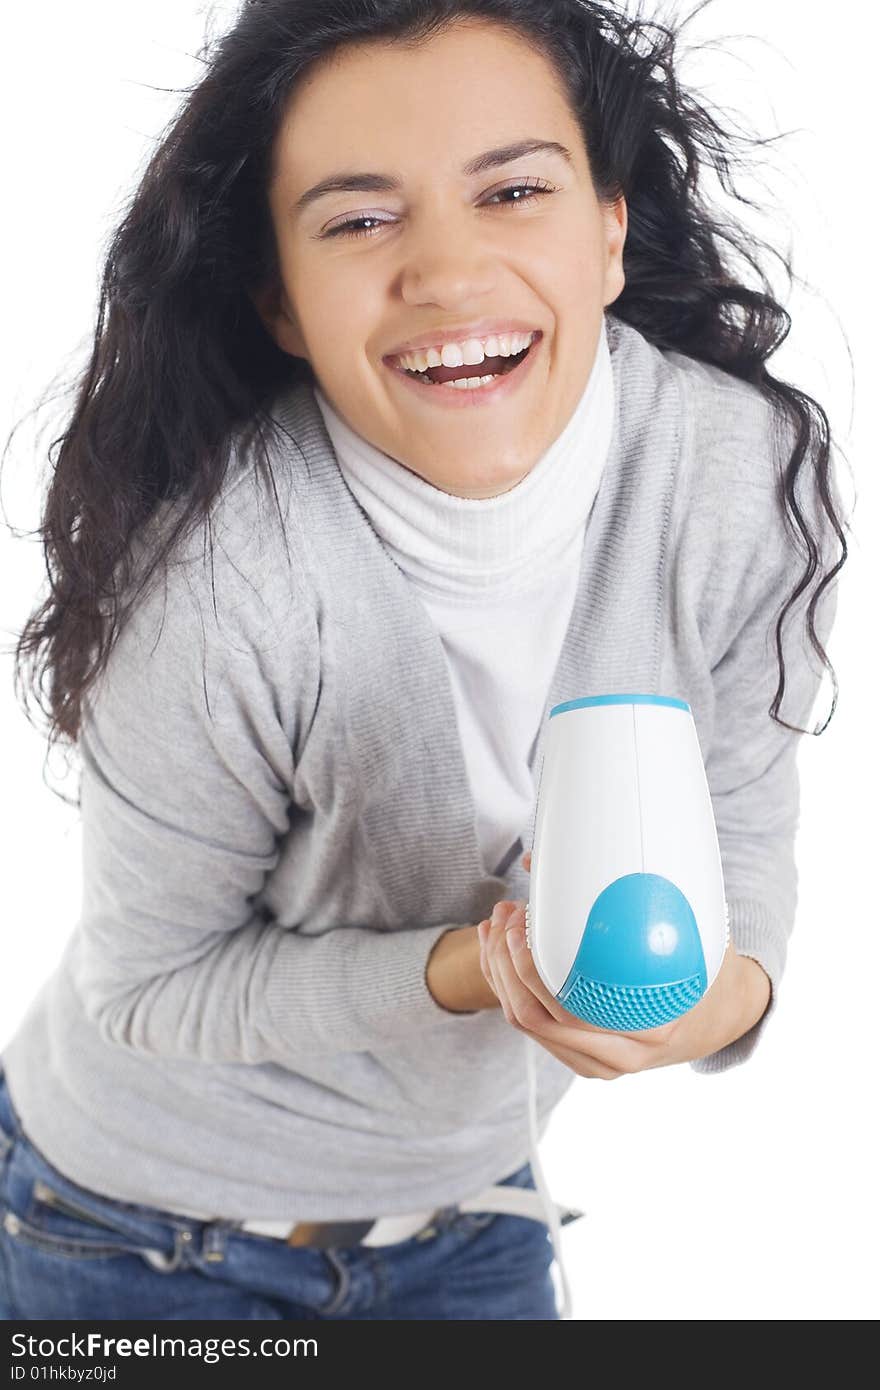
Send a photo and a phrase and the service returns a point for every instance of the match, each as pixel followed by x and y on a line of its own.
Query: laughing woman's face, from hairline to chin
pixel 440 252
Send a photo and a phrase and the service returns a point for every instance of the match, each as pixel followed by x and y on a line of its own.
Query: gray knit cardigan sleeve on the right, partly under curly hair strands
pixel 751 765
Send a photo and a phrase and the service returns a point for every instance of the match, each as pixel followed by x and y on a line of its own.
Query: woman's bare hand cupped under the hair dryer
pixel 738 1000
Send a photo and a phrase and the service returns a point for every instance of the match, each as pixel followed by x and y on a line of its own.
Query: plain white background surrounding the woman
pixel 743 1196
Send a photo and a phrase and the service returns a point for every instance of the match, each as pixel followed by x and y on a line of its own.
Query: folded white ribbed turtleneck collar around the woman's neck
pixel 469 550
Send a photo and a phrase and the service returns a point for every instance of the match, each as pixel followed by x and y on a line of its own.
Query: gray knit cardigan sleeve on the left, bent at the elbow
pixel 188 755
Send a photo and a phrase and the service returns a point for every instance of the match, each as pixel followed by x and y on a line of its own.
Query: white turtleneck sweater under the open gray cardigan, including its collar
pixel 498 578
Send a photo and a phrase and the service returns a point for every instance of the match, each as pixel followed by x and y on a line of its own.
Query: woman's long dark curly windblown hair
pixel 183 365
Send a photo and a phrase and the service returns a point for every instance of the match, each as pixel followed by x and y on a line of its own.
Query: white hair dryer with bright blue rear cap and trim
pixel 626 918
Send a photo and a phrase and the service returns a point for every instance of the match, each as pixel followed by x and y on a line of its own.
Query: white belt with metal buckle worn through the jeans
pixel 389 1231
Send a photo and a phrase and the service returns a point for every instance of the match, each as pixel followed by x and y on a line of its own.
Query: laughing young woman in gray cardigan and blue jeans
pixel 423 398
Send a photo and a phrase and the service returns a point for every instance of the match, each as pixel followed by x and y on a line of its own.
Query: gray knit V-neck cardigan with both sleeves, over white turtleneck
pixel 277 822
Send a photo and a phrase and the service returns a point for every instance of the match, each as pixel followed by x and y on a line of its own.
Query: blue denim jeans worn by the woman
pixel 69 1254
